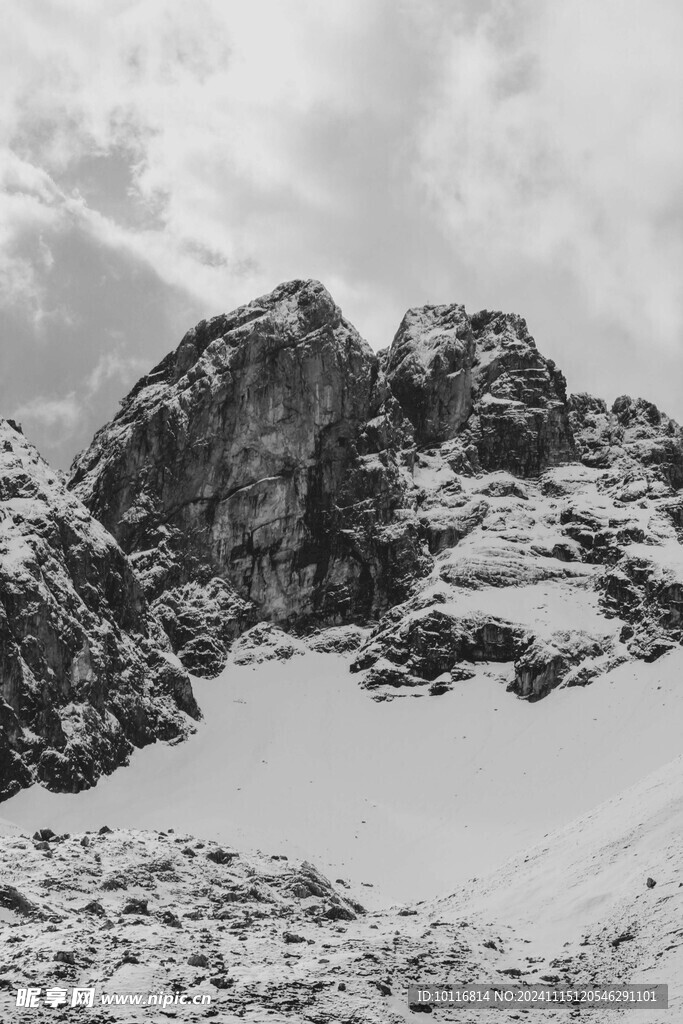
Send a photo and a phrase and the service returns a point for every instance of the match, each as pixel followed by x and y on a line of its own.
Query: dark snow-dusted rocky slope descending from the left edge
pixel 87 673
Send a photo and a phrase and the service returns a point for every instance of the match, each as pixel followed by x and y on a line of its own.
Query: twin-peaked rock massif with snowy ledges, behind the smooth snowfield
pixel 275 468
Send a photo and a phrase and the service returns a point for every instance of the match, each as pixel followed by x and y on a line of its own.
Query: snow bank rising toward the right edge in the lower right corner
pixel 602 900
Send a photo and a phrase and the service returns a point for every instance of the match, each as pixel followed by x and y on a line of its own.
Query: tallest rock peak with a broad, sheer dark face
pixel 269 452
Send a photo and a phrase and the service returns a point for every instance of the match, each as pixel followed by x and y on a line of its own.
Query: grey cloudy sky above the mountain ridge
pixel 166 160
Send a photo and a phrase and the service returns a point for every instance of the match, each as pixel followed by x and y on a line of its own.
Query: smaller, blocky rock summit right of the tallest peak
pixel 483 373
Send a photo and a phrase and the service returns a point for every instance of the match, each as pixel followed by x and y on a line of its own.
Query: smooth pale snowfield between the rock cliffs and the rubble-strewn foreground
pixel 414 796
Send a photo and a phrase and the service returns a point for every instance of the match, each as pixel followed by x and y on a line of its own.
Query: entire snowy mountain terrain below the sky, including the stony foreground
pixel 438 609
